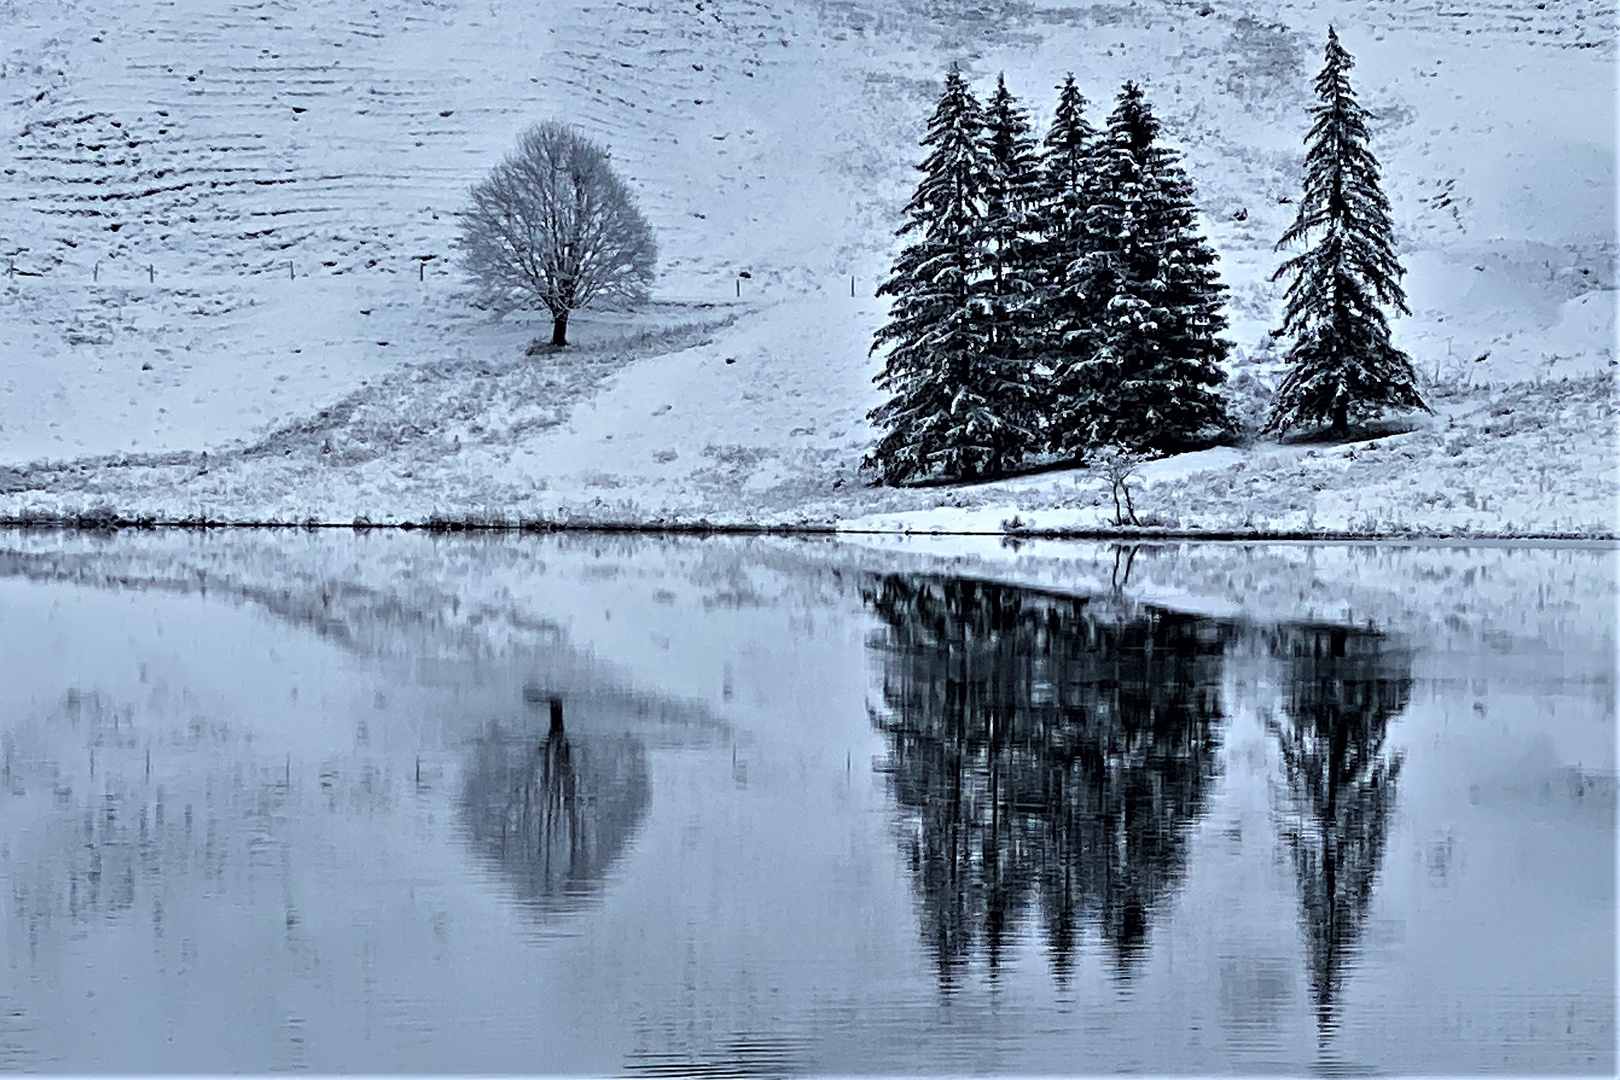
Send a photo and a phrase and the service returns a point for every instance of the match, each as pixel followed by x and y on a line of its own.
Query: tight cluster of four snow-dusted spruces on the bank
pixel 1052 300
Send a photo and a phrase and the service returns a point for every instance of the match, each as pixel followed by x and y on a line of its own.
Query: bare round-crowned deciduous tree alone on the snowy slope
pixel 555 227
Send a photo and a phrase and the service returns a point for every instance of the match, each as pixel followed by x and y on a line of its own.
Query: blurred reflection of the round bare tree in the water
pixel 555 814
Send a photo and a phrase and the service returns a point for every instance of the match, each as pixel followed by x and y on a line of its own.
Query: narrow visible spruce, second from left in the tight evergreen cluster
pixel 1012 274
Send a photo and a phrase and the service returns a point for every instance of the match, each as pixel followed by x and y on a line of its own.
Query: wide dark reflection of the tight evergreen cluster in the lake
pixel 1049 757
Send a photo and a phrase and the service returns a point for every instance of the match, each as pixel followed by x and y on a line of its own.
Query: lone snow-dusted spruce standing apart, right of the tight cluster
pixel 1342 364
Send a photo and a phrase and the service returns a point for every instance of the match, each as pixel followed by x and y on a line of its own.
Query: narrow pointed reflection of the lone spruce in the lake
pixel 1344 689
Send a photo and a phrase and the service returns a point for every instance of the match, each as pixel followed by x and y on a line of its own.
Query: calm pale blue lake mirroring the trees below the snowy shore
pixel 764 807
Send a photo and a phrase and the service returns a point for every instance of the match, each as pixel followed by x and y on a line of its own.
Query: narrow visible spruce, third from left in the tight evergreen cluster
pixel 1067 313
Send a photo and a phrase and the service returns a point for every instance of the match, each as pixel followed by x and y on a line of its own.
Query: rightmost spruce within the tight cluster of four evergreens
pixel 1148 380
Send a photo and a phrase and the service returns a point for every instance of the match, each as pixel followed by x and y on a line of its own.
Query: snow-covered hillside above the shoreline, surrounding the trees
pixel 228 236
